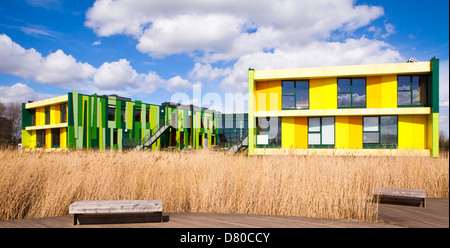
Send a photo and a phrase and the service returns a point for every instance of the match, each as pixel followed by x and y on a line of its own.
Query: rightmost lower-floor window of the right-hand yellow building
pixel 380 131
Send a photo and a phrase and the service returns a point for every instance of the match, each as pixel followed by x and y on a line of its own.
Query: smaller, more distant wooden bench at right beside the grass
pixel 399 195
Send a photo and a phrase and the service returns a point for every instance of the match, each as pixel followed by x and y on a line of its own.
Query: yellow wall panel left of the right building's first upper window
pixel 268 95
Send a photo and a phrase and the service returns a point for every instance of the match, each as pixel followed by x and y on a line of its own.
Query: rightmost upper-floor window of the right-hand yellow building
pixel 411 90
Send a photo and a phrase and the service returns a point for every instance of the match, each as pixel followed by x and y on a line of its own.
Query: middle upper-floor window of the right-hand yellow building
pixel 351 92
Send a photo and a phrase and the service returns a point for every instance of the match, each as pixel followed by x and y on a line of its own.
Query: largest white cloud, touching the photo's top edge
pixel 225 29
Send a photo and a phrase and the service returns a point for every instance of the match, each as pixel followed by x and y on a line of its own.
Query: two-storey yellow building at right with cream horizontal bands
pixel 385 109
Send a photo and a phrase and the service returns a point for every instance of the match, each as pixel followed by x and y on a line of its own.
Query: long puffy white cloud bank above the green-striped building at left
pixel 64 70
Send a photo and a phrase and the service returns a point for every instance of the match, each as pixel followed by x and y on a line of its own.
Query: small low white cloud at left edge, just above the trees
pixel 20 93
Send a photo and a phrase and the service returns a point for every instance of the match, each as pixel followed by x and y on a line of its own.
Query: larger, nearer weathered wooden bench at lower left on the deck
pixel 115 211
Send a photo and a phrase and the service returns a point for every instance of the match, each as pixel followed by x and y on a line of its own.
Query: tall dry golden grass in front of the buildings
pixel 40 184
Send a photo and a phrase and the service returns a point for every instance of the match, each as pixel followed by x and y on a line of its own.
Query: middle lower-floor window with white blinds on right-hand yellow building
pixel 321 132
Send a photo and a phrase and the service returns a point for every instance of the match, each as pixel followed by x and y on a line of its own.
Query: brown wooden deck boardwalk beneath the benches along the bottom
pixel 435 214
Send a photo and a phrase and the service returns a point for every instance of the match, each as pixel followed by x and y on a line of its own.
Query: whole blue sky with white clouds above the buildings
pixel 151 50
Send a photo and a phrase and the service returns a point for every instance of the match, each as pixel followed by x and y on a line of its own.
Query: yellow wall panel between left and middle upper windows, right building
pixel 323 93
